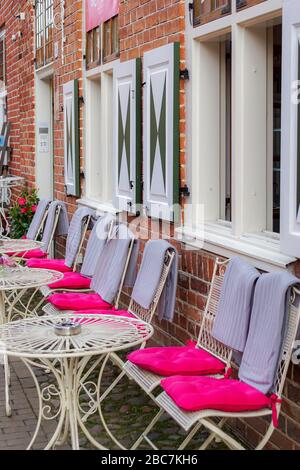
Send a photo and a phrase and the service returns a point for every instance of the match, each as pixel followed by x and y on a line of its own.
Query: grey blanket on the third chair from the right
pixel 149 275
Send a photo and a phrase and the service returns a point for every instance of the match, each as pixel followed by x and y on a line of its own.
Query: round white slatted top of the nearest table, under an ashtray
pixel 100 334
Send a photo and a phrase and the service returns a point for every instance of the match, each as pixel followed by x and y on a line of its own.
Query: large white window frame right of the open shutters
pixel 247 235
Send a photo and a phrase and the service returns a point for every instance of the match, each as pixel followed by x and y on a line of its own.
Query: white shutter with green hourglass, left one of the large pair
pixel 127 135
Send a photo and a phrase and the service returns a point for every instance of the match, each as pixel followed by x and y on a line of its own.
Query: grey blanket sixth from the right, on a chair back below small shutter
pixel 75 233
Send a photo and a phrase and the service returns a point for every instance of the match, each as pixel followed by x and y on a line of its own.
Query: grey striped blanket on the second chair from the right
pixel 234 308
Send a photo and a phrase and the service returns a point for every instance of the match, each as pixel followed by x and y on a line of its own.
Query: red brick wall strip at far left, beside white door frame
pixel 20 85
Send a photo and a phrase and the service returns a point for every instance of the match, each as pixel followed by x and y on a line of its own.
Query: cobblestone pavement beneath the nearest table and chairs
pixel 127 411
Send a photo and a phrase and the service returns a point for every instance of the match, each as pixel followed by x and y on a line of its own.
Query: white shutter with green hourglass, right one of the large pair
pixel 161 131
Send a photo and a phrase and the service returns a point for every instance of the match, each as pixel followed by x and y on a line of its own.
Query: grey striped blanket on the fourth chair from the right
pixel 111 264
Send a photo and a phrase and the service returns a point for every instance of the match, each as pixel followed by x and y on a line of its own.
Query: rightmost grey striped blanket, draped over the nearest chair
pixel 267 330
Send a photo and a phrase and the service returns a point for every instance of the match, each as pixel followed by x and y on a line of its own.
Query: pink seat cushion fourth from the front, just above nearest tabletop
pixel 77 301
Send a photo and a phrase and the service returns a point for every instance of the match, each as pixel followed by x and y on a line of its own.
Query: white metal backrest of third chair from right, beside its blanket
pixel 148 314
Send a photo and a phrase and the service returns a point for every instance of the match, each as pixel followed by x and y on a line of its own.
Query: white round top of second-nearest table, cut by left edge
pixel 26 278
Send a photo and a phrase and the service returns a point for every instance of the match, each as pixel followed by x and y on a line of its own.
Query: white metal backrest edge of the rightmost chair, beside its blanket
pixel 289 340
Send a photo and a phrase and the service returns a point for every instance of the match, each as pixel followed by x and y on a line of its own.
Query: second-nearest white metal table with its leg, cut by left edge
pixel 18 280
